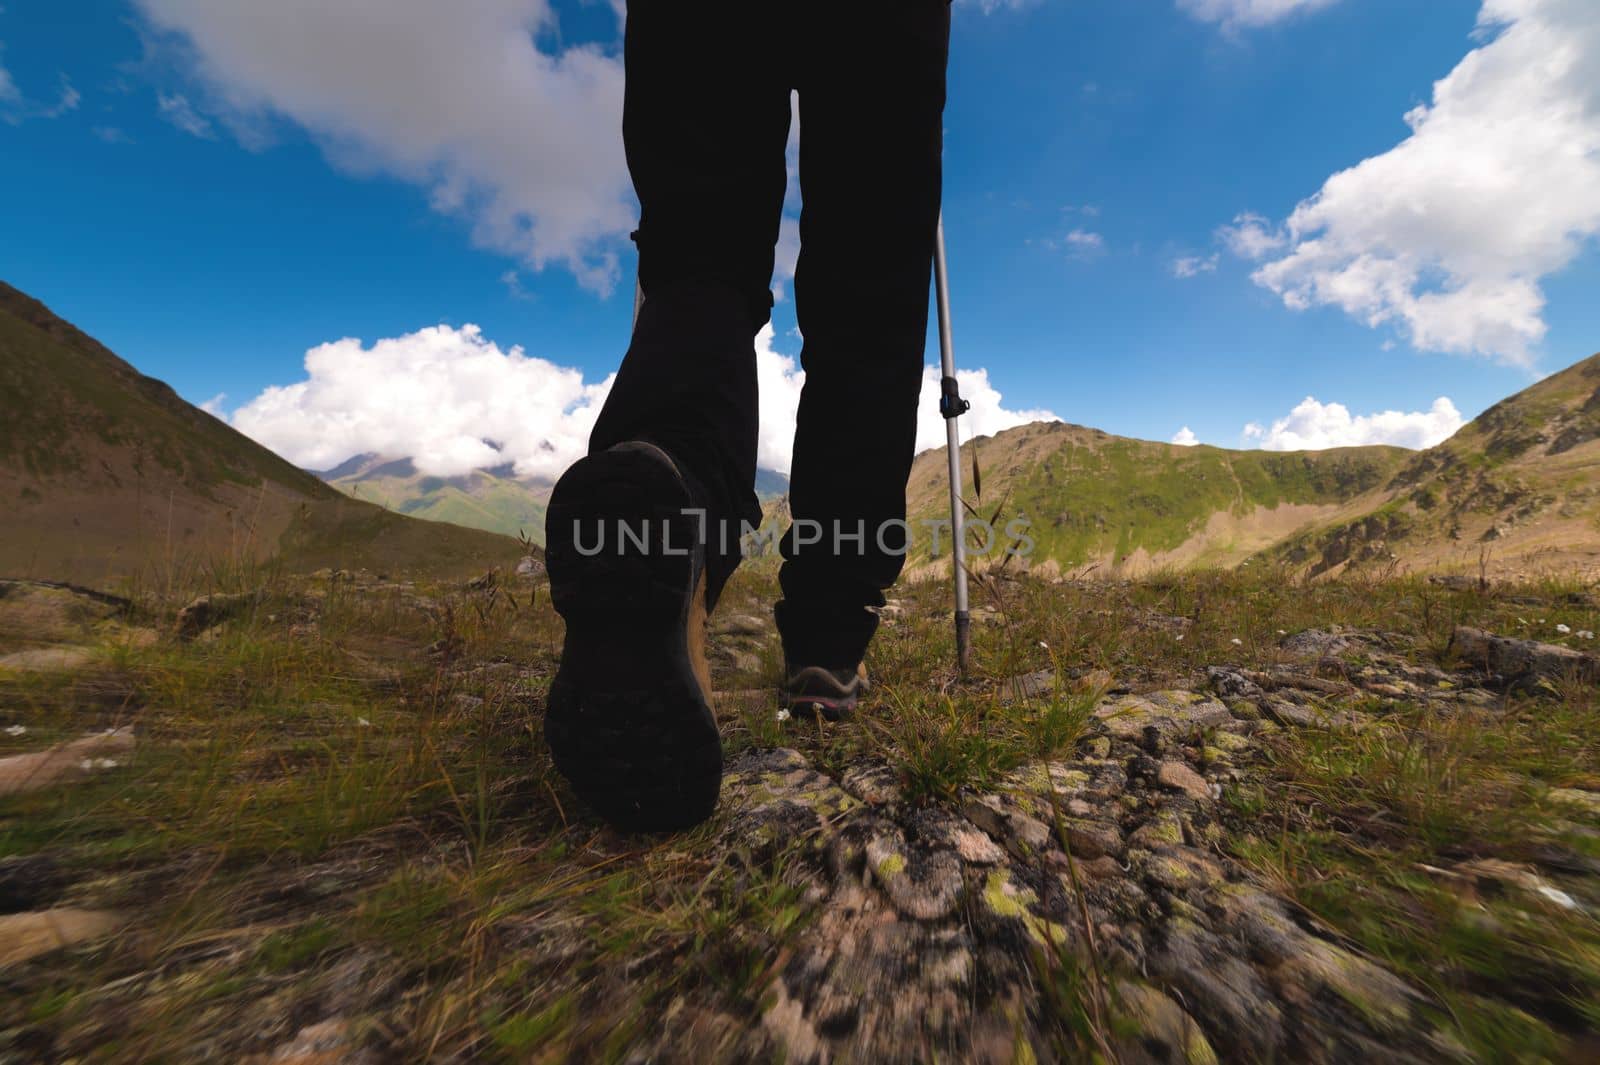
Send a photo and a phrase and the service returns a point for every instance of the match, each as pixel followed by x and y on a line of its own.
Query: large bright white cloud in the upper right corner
pixel 1450 236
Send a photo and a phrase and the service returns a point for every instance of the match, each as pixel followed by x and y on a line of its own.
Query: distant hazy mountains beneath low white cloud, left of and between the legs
pixel 495 500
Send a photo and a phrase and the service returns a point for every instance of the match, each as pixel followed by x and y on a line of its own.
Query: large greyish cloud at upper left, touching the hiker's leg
pixel 521 140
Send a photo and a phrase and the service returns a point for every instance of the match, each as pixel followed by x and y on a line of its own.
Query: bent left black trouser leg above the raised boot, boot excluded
pixel 706 124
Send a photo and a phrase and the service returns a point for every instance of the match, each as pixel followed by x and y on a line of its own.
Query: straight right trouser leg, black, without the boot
pixel 871 110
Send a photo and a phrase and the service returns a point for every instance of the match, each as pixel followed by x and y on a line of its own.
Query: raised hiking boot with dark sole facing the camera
pixel 630 719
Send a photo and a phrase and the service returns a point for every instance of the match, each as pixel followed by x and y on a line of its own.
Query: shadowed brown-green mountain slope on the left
pixel 108 474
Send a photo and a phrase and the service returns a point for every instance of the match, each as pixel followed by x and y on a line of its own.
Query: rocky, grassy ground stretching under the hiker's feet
pixel 1177 821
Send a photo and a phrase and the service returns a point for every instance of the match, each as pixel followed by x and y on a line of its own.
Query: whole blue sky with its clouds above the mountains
pixel 1161 213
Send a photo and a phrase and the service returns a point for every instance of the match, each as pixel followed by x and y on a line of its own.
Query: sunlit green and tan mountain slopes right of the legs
pixel 1518 489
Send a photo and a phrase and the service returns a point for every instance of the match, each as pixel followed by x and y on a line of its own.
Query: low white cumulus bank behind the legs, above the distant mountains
pixel 454 402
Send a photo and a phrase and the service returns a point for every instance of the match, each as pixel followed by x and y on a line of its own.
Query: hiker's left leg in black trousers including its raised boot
pixel 630 719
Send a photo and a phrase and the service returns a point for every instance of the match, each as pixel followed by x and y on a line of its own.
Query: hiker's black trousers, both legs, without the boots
pixel 706 127
